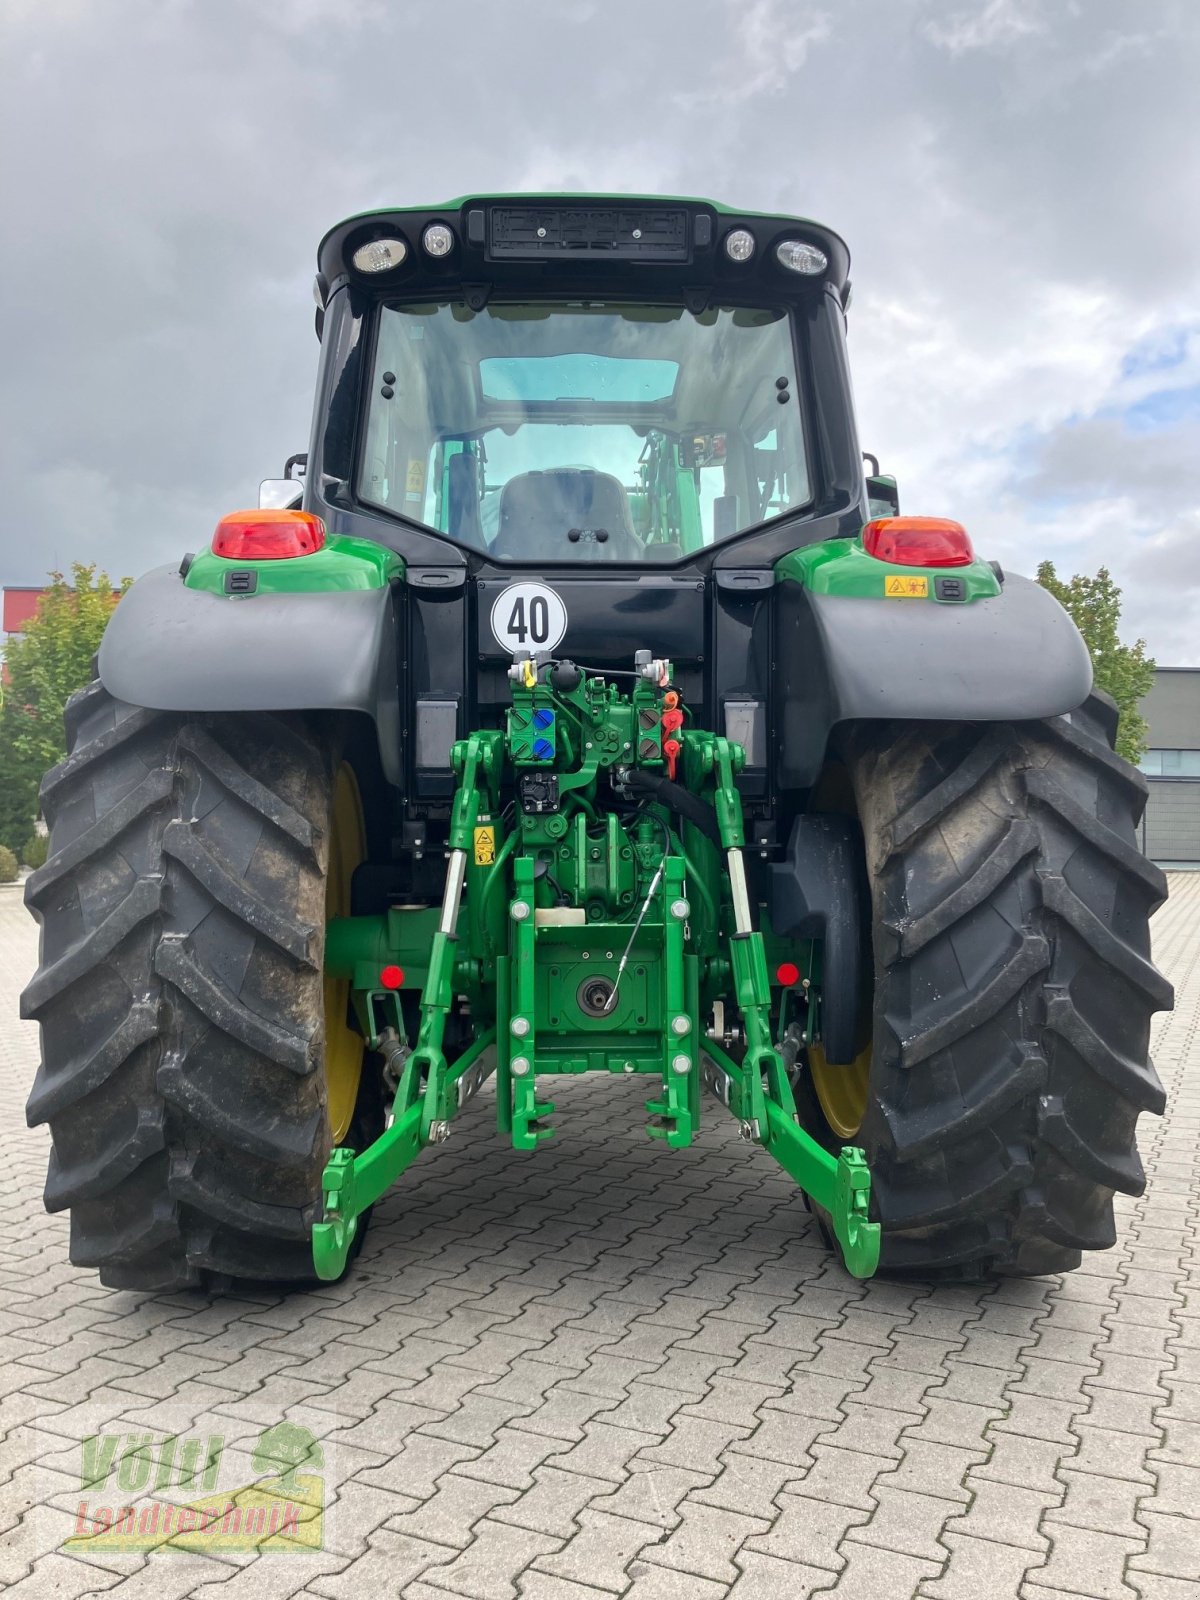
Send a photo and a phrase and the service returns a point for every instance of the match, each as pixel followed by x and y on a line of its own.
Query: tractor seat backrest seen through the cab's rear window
pixel 567 514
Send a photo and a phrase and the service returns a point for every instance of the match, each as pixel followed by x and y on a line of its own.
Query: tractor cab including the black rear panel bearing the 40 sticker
pixel 588 428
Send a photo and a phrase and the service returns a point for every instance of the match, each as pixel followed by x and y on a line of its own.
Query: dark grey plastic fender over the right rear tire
pixel 1014 657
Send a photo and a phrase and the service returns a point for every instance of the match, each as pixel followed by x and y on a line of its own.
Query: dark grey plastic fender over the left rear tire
pixel 170 647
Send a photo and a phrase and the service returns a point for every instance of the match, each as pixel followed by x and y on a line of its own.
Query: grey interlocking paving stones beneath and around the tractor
pixel 564 1378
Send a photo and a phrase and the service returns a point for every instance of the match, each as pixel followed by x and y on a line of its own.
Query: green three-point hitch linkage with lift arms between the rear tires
pixel 583 945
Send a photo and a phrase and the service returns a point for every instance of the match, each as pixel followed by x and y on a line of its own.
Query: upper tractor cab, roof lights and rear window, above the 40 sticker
pixel 569 383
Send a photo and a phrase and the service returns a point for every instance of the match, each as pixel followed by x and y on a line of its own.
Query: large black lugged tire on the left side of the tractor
pixel 180 994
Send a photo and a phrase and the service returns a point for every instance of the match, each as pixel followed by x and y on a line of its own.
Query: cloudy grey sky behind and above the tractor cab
pixel 1018 182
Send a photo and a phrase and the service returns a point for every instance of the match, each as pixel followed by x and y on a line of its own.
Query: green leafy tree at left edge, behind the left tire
pixel 44 668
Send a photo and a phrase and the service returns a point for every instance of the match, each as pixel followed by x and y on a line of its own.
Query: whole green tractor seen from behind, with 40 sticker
pixel 580 705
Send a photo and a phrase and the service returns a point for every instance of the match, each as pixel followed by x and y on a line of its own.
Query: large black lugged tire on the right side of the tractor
pixel 1014 990
